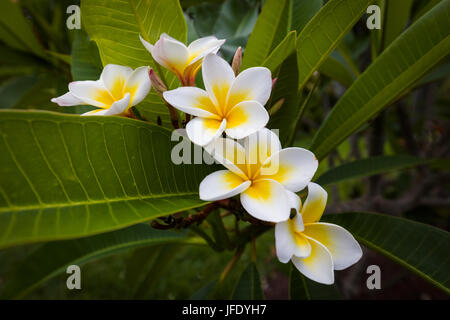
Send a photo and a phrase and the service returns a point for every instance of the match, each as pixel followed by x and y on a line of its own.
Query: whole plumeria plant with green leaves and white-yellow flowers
pixel 104 172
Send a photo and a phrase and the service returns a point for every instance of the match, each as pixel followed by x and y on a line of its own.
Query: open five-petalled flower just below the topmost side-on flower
pixel 231 104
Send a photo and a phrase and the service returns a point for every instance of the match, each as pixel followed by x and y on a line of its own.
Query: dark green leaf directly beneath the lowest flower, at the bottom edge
pixel 302 288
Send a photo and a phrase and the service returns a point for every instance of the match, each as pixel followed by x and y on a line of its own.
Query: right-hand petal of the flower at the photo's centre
pixel 296 167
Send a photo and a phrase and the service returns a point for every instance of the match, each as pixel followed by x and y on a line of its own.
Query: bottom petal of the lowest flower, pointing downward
pixel 318 266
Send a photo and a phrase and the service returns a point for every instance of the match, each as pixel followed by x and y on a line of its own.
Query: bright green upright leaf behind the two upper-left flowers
pixel 115 25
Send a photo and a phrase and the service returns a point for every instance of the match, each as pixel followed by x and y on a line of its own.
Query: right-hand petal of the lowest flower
pixel 344 249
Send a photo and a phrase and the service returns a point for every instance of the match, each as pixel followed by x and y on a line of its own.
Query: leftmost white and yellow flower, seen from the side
pixel 118 89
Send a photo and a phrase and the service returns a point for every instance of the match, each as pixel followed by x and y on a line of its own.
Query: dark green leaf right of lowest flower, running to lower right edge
pixel 419 247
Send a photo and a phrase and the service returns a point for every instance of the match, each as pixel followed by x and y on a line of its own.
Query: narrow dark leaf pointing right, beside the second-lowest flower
pixel 368 167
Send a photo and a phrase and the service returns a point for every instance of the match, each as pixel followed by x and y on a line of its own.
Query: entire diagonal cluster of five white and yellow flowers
pixel 265 176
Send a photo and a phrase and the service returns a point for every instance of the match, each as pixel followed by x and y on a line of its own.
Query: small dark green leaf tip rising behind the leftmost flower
pixel 86 63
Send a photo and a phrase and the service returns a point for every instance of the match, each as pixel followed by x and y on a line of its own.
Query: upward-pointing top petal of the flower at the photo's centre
pixel 259 146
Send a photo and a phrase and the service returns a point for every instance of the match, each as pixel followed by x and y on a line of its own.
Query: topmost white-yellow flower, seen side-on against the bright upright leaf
pixel 184 61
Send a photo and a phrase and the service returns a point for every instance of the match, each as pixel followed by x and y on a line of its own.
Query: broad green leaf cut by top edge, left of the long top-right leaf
pixel 324 32
